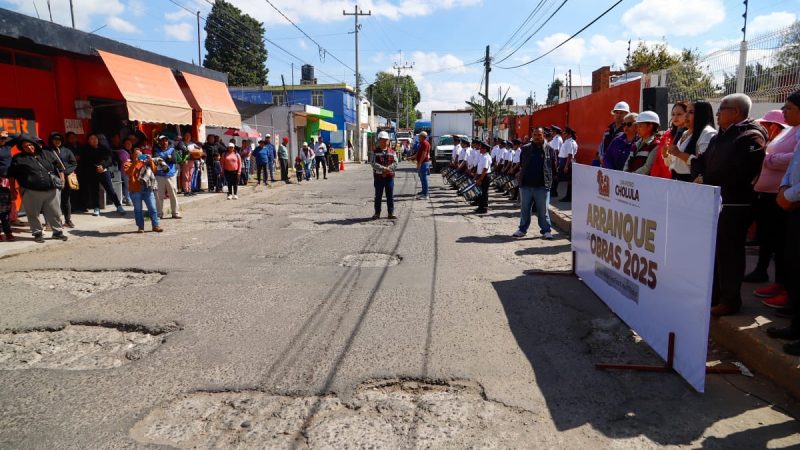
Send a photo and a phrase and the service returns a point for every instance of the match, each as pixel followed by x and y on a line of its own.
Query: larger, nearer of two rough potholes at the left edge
pixel 80 346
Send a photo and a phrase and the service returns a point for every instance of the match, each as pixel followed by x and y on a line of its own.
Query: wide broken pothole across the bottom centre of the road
pixel 384 414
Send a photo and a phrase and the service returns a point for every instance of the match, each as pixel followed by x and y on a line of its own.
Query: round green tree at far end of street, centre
pixel 383 93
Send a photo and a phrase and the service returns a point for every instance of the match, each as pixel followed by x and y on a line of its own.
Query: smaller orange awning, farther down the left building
pixel 212 97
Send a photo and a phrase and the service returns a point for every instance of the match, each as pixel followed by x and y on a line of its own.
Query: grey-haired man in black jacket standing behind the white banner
pixel 733 162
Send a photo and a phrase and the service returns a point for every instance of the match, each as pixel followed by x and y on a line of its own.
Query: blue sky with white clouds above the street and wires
pixel 440 37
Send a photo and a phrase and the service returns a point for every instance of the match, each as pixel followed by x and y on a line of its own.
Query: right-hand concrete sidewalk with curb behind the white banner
pixel 744 334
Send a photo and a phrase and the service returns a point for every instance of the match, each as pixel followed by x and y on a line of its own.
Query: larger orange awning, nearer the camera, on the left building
pixel 151 92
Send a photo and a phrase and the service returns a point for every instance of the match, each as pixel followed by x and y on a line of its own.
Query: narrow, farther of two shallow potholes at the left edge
pixel 83 283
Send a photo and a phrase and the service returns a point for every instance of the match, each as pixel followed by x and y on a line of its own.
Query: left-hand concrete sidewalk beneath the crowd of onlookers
pixel 87 225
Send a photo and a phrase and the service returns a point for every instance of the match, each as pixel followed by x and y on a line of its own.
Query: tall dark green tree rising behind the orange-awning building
pixel 235 44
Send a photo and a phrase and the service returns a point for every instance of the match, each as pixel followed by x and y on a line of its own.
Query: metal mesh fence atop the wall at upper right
pixel 766 67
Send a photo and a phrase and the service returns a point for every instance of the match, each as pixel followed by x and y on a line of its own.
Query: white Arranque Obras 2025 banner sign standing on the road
pixel 646 247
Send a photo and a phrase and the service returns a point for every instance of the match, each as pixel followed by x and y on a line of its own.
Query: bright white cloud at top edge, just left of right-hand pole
pixel 673 17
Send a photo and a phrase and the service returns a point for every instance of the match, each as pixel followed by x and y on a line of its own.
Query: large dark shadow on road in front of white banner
pixel 554 321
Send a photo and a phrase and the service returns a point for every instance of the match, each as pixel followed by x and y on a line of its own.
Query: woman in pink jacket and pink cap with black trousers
pixel 770 218
